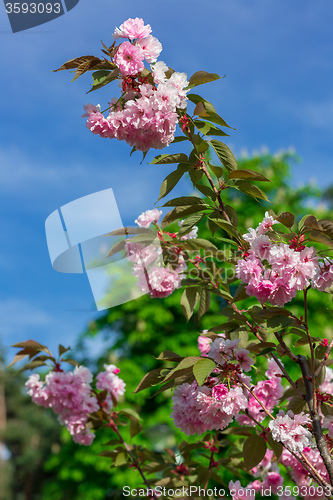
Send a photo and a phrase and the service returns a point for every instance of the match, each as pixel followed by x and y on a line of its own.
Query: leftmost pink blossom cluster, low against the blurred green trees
pixel 70 395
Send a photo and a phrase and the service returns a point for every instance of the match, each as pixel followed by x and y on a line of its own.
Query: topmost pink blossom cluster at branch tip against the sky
pixel 145 116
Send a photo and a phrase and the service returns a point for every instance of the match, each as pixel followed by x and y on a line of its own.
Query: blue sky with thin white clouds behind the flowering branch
pixel 278 60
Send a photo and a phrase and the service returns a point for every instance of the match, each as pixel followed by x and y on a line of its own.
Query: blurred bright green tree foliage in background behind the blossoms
pixel 135 334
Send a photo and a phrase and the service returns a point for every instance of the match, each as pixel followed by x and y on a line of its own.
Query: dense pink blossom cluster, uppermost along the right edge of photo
pixel 274 272
